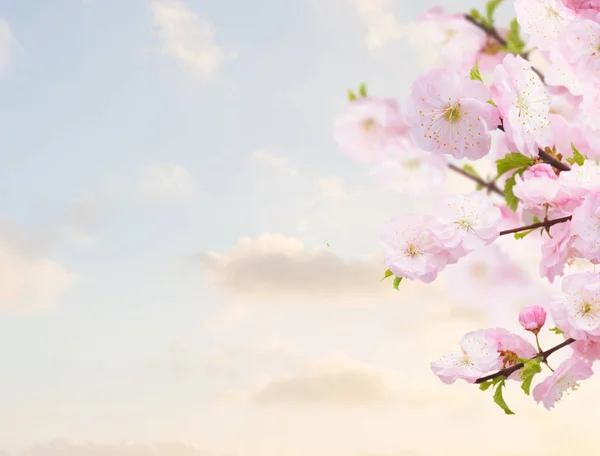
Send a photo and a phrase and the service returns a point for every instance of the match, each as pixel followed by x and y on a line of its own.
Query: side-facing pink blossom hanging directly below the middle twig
pixel 558 249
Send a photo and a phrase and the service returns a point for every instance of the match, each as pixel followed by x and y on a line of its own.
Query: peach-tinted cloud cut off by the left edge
pixel 29 283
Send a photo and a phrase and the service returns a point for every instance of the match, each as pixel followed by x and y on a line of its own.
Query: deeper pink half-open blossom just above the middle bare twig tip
pixel 537 186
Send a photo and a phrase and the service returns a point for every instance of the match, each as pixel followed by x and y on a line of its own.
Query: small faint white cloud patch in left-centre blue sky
pixel 164 180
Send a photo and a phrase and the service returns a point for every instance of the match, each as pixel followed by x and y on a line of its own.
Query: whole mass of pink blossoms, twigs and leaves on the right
pixel 540 125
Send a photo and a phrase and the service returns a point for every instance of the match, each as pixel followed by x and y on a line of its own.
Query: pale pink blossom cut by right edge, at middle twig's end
pixel 585 224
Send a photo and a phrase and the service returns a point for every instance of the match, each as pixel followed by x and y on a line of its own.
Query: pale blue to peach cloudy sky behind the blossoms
pixel 189 266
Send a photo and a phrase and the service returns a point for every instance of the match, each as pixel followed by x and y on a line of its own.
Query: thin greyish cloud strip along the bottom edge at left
pixel 64 448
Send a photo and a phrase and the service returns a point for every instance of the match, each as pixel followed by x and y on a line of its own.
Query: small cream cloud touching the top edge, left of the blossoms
pixel 381 24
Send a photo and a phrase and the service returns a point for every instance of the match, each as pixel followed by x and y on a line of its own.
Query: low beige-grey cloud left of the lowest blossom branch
pixel 334 381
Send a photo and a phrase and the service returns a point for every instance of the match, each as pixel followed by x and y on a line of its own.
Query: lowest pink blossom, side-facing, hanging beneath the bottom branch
pixel 565 377
